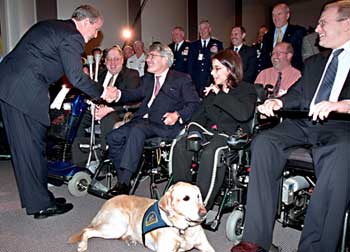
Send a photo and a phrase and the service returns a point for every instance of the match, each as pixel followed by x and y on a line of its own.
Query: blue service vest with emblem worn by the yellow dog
pixel 152 220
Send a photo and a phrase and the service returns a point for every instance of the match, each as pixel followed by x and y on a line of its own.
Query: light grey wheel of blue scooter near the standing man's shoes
pixel 79 183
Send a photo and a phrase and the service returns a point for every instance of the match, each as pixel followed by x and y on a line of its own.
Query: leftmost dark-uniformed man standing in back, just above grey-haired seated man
pixel 180 48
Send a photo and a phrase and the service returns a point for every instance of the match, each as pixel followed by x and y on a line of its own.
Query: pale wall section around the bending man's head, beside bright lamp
pixel 115 18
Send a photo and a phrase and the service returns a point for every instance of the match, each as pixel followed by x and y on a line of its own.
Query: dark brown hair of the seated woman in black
pixel 233 62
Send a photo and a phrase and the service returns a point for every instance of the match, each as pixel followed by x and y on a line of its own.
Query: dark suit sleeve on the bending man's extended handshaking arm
pixel 69 50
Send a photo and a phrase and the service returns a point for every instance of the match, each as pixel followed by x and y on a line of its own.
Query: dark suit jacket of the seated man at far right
pixel 301 93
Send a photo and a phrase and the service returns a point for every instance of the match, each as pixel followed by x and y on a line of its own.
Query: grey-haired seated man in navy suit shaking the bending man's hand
pixel 168 99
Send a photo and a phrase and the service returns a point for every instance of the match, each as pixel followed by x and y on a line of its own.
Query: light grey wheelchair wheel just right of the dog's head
pixel 234 226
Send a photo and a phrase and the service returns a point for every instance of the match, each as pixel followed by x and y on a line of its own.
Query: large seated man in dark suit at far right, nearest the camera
pixel 324 88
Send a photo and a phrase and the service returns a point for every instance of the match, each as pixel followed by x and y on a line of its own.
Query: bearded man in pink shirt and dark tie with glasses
pixel 282 75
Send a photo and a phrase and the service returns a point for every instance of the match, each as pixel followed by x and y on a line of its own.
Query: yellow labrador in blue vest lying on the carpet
pixel 170 224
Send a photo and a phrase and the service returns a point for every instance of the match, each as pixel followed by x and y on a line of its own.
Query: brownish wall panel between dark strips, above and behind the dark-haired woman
pixel 220 15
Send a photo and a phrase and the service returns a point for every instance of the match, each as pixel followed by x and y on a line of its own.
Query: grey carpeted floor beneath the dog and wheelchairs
pixel 21 233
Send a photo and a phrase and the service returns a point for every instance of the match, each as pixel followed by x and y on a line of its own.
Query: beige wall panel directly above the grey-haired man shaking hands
pixel 159 17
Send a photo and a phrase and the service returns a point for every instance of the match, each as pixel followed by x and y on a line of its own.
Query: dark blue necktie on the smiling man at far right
pixel 328 79
